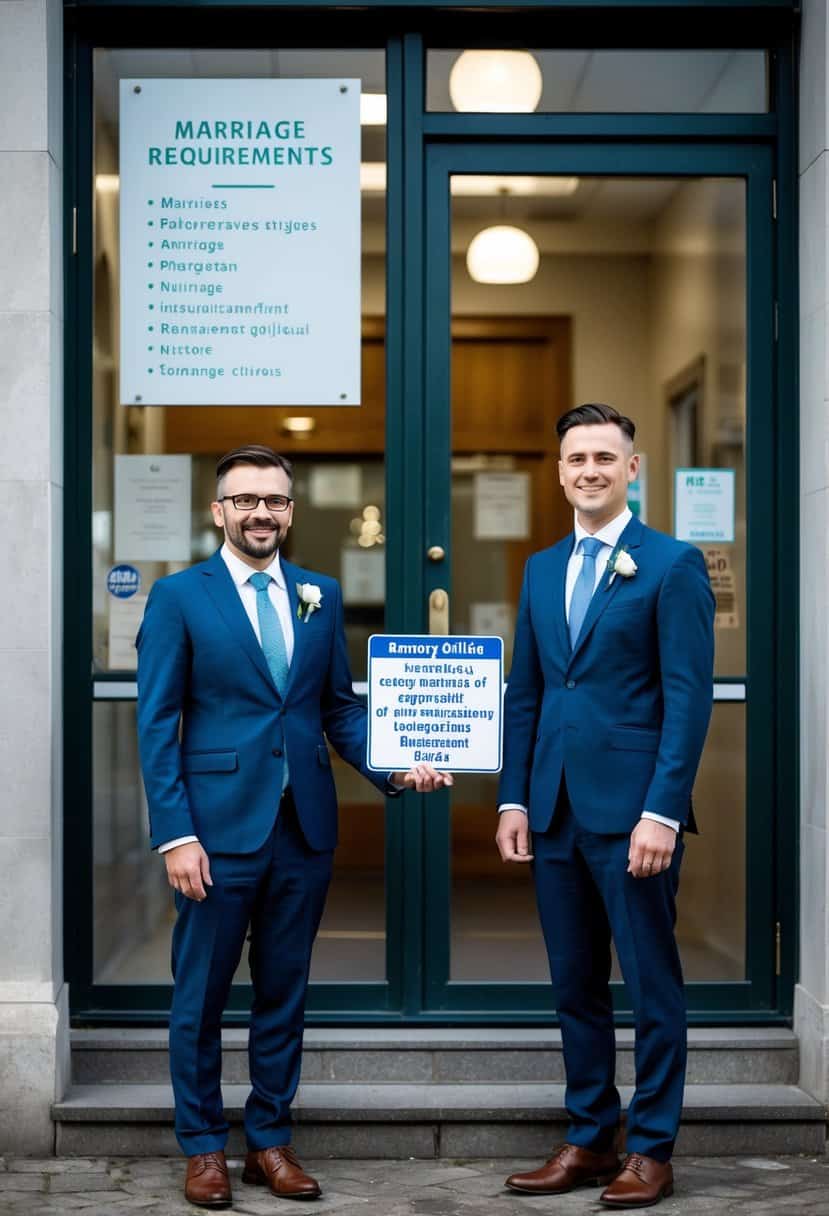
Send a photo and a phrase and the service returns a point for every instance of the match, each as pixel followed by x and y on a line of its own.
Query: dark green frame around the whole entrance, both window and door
pixel 418 965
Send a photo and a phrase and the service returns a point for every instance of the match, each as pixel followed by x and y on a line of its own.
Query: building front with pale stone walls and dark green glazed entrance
pixel 673 182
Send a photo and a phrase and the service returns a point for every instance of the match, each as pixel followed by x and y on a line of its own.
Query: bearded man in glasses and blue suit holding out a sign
pixel 243 675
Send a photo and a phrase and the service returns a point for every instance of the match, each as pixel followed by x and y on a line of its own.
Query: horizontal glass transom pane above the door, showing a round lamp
pixel 599 82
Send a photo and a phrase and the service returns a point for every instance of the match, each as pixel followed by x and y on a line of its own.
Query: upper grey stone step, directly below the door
pixel 766 1056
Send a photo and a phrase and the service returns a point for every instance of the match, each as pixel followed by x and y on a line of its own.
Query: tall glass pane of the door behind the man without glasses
pixel 640 301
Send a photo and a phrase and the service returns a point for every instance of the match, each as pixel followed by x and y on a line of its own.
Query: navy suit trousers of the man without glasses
pixel 585 896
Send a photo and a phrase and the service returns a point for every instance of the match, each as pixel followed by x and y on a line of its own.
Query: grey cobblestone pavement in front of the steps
pixel 101 1187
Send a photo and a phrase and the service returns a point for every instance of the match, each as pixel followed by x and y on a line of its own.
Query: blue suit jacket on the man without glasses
pixel 623 716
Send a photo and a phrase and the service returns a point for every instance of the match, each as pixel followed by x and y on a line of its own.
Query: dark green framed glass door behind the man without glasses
pixel 640 277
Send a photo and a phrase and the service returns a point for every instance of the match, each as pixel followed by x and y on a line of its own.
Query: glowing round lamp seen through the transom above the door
pixel 495 82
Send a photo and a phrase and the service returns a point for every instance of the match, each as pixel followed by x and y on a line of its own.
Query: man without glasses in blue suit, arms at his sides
pixel 606 716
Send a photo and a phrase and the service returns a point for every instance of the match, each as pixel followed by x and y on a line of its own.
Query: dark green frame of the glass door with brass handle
pixel 757 995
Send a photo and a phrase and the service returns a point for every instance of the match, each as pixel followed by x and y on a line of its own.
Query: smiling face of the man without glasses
pixel 597 464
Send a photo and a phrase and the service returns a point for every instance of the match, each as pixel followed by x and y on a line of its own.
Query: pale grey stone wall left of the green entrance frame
pixel 33 1006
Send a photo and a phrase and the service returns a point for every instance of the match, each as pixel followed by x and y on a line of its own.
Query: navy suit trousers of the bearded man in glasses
pixel 278 892
